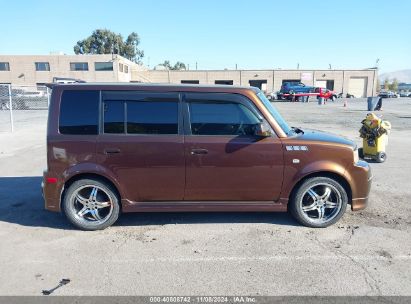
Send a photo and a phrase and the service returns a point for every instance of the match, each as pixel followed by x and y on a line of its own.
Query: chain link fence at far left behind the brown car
pixel 17 99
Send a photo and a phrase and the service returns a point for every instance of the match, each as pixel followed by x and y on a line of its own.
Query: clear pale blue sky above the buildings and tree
pixel 219 34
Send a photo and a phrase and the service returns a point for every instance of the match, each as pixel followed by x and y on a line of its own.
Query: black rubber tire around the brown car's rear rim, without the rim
pixel 81 225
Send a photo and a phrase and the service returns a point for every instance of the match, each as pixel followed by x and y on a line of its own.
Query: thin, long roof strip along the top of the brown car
pixel 152 86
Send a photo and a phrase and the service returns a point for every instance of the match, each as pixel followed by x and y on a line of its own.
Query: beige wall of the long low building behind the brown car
pixel 22 72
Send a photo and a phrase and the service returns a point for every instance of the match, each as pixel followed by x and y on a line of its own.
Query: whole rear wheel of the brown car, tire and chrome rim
pixel 91 204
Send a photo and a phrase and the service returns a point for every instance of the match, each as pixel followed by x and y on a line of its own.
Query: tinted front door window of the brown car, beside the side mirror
pixel 221 118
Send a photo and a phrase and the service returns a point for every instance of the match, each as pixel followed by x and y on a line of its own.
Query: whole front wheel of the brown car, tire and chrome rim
pixel 318 202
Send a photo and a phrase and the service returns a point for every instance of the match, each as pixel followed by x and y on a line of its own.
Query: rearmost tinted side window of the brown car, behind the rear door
pixel 79 112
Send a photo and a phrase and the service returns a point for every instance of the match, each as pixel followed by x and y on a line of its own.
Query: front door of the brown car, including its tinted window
pixel 225 161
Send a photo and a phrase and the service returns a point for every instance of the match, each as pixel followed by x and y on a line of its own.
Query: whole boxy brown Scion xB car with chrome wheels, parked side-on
pixel 155 148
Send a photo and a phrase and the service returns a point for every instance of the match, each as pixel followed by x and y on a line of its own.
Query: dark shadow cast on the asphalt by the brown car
pixel 21 203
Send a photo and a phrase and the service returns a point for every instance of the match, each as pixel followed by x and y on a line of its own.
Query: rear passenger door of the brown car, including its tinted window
pixel 142 145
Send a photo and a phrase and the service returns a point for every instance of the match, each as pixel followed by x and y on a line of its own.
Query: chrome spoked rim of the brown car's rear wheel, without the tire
pixel 91 204
